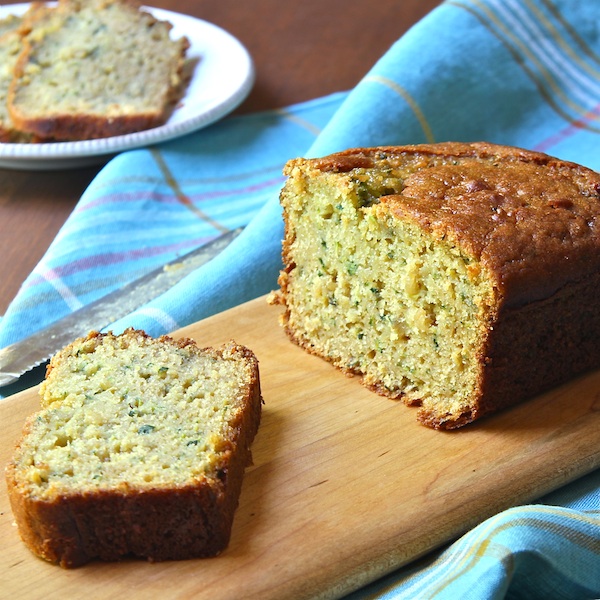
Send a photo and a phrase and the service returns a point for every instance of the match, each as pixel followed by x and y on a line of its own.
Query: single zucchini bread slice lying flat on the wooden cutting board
pixel 139 450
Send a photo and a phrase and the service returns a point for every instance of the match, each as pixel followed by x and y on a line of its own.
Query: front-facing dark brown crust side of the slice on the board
pixel 158 525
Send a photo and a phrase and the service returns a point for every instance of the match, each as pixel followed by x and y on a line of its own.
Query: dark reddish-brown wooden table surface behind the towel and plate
pixel 301 50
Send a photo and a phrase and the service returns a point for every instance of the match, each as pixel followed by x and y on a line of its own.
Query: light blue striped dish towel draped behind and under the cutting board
pixel 519 72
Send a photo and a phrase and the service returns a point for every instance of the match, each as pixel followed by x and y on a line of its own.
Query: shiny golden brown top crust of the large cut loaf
pixel 531 218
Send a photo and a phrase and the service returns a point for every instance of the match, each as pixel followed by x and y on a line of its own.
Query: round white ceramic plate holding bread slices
pixel 222 78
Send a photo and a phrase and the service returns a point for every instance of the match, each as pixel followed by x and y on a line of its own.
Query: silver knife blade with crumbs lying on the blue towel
pixel 24 355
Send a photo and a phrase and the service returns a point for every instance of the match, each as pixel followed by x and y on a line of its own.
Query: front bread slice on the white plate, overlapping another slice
pixel 93 69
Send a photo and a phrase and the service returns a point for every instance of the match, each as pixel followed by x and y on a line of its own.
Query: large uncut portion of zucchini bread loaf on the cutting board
pixel 460 277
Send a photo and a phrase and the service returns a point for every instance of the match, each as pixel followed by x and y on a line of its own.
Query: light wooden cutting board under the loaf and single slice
pixel 345 485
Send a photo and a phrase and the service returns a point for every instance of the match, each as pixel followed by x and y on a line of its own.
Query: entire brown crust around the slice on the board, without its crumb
pixel 161 522
